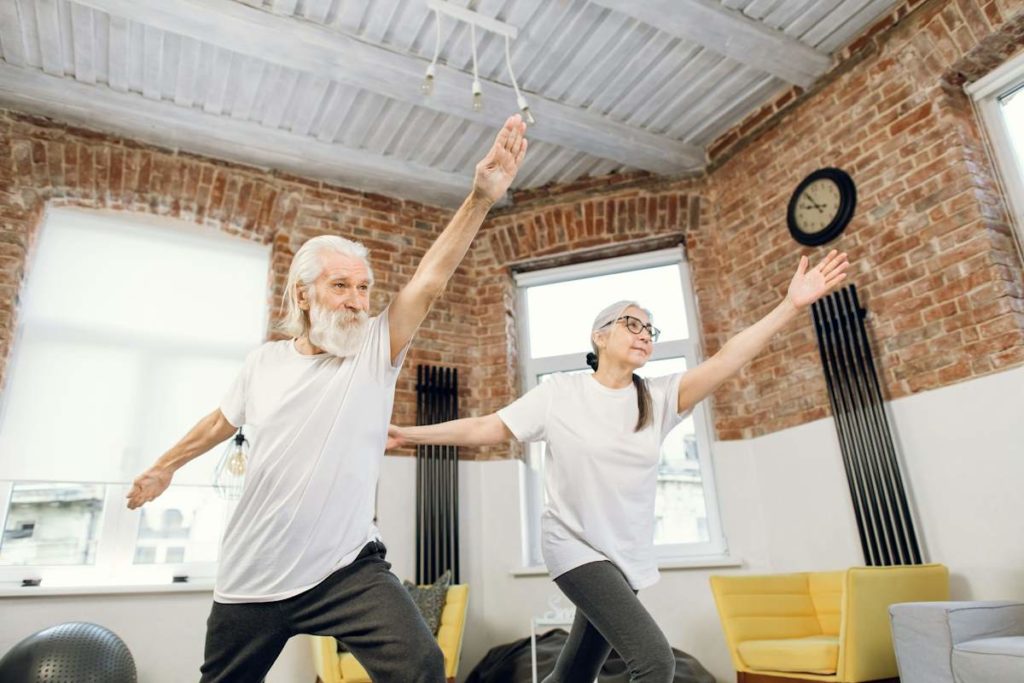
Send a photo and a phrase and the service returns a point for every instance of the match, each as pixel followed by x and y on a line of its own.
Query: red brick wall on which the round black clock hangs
pixel 936 264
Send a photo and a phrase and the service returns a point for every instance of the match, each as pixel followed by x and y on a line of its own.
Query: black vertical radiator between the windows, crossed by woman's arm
pixel 437 479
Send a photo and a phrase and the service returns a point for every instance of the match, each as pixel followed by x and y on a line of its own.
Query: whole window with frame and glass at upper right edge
pixel 1000 100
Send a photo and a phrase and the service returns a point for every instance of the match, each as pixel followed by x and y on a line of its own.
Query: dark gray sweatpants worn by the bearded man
pixel 363 605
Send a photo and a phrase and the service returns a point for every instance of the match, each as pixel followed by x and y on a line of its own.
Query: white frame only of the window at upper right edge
pixel 986 95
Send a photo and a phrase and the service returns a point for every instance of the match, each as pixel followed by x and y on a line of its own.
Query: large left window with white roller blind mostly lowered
pixel 131 330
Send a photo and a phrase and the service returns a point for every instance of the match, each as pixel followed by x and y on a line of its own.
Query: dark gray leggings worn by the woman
pixel 610 616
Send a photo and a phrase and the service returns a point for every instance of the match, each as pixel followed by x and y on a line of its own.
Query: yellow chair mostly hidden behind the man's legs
pixel 334 667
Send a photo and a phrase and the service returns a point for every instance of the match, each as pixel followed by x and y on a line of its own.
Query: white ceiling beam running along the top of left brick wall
pixel 191 130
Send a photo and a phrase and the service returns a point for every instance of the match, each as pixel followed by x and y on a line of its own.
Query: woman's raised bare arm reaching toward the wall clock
pixel 806 288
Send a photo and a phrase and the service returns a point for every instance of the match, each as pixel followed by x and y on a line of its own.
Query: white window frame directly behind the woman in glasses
pixel 531 479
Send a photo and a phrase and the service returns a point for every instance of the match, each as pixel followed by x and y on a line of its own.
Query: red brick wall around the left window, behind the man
pixel 48 164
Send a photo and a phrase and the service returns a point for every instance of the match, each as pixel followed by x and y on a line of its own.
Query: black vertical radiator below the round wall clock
pixel 880 502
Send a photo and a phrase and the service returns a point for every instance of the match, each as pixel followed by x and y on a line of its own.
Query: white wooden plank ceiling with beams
pixel 331 89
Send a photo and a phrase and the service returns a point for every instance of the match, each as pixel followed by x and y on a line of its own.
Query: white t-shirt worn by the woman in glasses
pixel 602 477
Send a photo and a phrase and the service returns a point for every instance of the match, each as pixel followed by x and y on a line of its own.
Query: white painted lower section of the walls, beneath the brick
pixel 785 506
